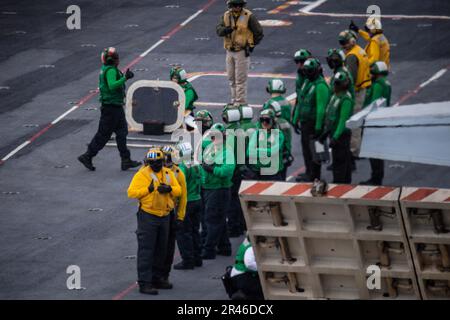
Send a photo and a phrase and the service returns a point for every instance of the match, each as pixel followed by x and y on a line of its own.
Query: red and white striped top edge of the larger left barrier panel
pixel 304 190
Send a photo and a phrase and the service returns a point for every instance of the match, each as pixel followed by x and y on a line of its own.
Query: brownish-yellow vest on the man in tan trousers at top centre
pixel 241 36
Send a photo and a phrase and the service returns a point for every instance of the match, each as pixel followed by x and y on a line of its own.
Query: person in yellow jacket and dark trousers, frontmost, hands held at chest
pixel 156 189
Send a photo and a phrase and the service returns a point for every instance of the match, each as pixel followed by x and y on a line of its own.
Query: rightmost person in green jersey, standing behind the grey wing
pixel 381 88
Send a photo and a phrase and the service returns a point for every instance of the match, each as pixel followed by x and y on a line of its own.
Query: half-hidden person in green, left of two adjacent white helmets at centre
pixel 231 116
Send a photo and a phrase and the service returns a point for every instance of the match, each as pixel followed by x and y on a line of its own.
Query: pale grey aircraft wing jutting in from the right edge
pixel 412 133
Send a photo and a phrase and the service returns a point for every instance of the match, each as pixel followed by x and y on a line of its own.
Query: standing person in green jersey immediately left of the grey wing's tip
pixel 339 110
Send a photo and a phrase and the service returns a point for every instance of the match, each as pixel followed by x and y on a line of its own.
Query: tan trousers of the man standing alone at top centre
pixel 237 70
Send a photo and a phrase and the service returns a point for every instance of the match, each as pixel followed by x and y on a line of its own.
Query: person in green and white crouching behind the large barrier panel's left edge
pixel 241 281
